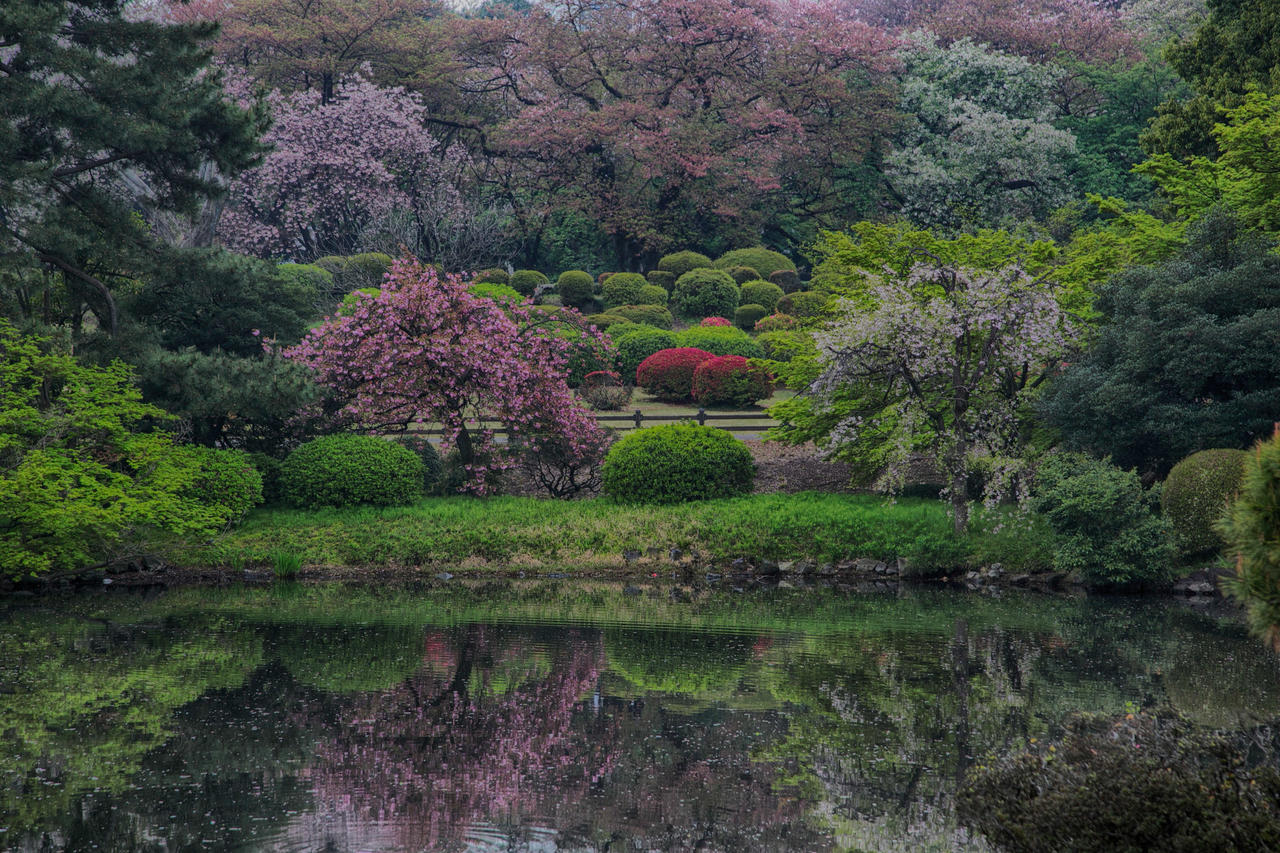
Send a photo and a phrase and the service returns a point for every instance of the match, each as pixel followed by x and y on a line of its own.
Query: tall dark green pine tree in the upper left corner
pixel 145 127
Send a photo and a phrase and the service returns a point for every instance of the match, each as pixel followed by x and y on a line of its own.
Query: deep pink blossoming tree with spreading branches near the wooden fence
pixel 427 352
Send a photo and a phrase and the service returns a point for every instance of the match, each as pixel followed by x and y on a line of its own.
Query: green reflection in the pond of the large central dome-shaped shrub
pixel 673 662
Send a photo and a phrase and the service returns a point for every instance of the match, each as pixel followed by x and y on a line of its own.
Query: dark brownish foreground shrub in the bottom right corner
pixel 1137 784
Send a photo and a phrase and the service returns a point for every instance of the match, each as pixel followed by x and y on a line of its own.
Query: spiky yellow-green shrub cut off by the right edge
pixel 1250 530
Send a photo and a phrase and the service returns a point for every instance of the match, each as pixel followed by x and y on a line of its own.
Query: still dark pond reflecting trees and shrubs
pixel 564 717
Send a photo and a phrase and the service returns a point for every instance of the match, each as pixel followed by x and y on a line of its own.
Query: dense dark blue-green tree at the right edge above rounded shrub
pixel 1188 357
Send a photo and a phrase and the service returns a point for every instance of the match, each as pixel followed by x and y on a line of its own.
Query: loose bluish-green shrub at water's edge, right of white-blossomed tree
pixel 1105 523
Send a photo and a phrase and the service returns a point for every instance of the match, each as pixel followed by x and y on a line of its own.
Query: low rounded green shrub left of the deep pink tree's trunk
pixel 348 471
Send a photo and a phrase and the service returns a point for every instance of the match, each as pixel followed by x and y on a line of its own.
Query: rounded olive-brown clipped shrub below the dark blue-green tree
pixel 1197 494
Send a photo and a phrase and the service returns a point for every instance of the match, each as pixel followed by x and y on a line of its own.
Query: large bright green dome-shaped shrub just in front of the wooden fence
pixel 678 463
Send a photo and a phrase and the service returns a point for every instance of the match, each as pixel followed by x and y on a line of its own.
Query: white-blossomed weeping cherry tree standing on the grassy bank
pixel 941 362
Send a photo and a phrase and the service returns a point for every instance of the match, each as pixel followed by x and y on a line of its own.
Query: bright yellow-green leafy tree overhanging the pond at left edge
pixel 79 480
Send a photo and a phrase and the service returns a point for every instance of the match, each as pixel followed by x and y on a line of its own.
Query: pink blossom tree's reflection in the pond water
pixel 435 754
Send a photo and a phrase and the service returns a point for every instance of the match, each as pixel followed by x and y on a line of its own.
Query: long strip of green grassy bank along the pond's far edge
pixel 595 535
